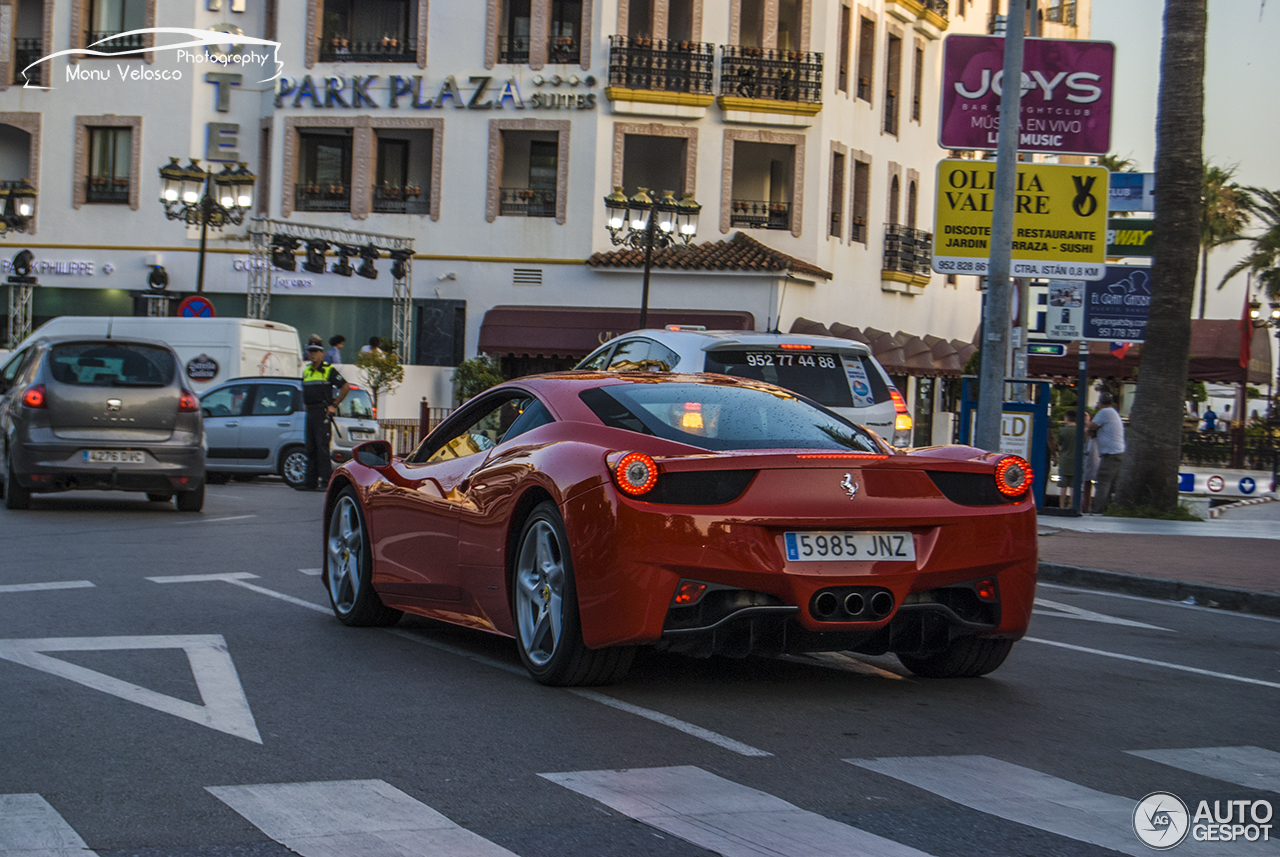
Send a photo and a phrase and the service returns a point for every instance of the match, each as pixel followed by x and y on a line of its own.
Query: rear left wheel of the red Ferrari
pixel 542 586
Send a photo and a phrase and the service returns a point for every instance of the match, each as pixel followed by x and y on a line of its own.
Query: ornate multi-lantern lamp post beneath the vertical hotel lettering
pixel 205 199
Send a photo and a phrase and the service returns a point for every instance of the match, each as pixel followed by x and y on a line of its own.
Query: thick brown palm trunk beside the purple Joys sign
pixel 1149 476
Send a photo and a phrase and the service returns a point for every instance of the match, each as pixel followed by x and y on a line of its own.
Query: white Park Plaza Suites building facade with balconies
pixel 490 132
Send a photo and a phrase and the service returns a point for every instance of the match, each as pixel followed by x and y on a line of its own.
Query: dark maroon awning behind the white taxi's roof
pixel 577 332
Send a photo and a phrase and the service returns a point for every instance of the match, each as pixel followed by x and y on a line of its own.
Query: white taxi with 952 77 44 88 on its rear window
pixel 839 374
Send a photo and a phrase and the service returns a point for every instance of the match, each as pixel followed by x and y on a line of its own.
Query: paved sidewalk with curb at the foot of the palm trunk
pixel 1231 562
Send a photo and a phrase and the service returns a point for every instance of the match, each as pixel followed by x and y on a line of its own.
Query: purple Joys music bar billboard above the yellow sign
pixel 1067 95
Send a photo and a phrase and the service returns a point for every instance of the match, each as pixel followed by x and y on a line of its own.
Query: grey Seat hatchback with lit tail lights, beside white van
pixel 100 414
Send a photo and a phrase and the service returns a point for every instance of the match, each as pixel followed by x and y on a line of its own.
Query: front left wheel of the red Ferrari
pixel 349 567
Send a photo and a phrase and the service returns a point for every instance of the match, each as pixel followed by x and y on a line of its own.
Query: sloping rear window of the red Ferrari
pixel 725 418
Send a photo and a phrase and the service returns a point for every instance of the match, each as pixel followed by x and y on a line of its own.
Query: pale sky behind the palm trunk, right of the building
pixel 1242 104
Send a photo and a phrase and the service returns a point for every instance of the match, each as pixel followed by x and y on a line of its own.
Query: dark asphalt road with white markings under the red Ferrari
pixel 226 717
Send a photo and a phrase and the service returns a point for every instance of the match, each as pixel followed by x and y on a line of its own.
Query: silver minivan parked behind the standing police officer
pixel 257 427
